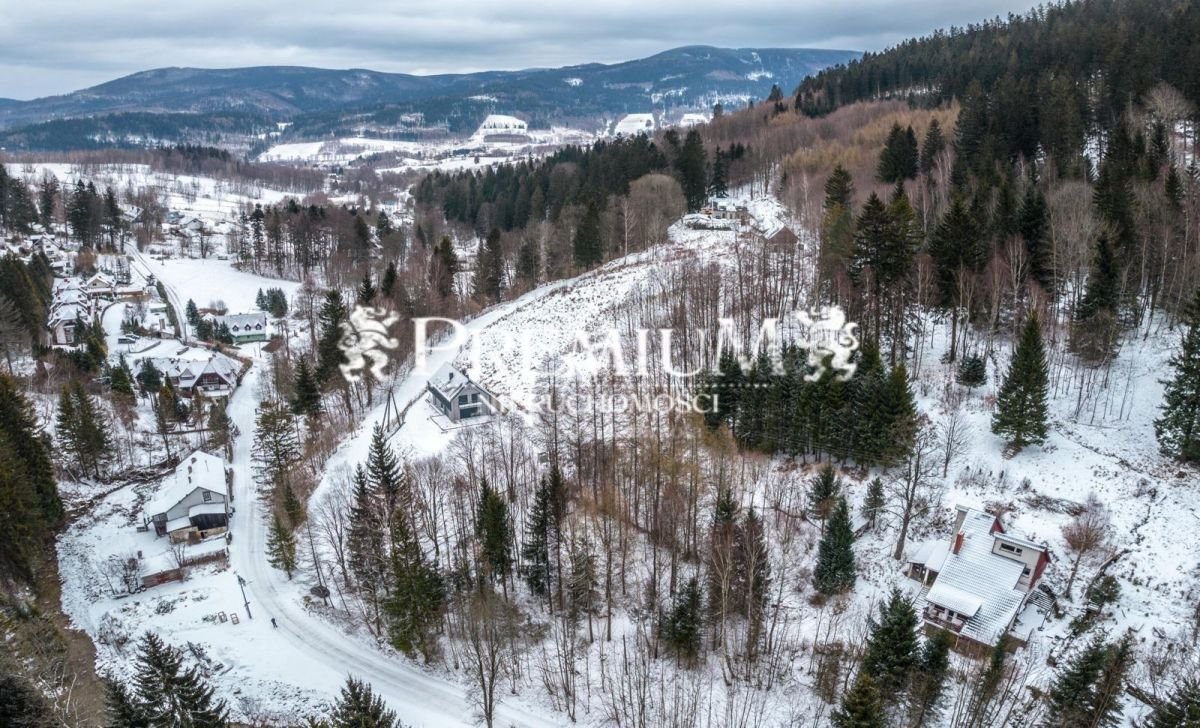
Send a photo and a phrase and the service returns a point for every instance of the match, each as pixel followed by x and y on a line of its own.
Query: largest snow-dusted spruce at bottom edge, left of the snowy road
pixel 171 697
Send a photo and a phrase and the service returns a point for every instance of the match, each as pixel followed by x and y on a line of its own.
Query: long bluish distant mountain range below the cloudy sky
pixel 164 104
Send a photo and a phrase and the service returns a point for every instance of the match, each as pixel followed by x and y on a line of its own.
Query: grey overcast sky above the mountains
pixel 67 45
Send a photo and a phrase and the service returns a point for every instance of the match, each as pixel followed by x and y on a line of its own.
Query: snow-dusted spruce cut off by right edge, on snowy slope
pixel 1179 428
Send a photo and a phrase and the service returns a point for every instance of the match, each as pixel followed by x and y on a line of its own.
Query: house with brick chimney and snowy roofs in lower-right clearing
pixel 981 582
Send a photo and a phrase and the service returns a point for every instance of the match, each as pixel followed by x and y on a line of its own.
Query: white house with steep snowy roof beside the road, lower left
pixel 194 503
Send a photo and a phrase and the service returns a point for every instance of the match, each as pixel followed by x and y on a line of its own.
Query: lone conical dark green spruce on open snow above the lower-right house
pixel 1021 416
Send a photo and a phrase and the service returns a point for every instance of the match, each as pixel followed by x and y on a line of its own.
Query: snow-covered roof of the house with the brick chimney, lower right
pixel 979 582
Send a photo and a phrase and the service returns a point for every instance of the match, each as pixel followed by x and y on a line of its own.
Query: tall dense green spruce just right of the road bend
pixel 418 595
